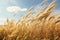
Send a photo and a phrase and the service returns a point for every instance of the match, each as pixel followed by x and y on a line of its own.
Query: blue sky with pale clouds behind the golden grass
pixel 10 7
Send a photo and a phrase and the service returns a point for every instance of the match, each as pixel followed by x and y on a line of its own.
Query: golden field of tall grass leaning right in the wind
pixel 44 25
